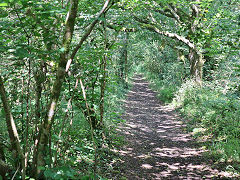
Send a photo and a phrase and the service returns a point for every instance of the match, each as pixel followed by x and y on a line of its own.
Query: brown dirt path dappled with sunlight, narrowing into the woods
pixel 157 147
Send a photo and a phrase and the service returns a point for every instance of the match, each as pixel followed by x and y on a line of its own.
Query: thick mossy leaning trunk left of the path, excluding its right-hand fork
pixel 41 153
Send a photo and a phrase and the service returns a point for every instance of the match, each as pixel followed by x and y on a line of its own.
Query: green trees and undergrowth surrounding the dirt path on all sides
pixel 65 65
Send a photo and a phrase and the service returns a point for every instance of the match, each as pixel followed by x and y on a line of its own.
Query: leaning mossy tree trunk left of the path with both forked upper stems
pixel 40 152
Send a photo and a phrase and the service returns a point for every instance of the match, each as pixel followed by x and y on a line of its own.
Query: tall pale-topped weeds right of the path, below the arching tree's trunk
pixel 215 112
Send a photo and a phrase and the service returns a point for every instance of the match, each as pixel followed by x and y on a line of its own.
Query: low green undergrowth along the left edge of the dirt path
pixel 90 157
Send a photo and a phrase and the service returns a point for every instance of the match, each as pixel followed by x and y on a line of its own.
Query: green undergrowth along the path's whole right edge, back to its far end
pixel 212 111
